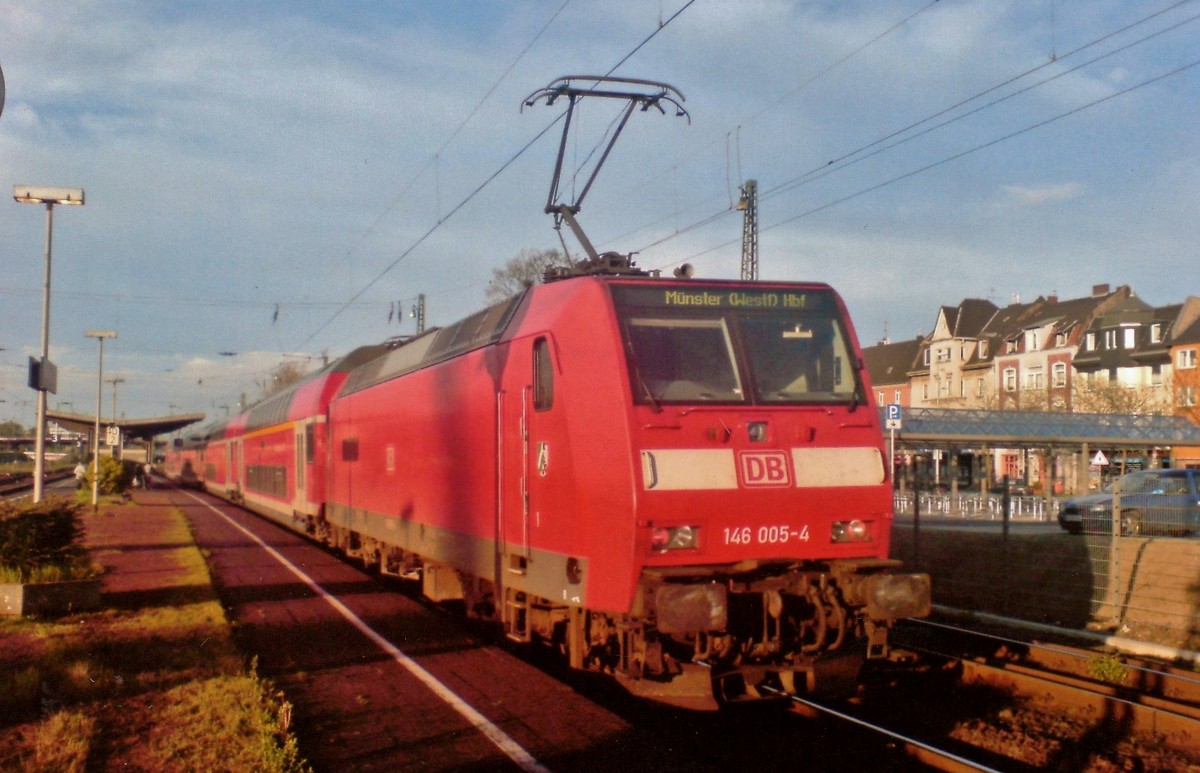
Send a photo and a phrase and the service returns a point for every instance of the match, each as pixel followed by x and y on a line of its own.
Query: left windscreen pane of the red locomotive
pixel 683 359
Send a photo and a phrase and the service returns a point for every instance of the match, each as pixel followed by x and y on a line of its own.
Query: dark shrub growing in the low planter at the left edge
pixel 35 538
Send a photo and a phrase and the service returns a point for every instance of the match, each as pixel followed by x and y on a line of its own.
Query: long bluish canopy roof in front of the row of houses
pixel 1041 429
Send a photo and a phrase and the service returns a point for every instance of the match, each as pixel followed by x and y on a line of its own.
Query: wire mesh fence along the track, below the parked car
pixel 1143 586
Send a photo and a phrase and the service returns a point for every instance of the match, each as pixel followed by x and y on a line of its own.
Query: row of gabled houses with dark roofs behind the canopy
pixel 1109 352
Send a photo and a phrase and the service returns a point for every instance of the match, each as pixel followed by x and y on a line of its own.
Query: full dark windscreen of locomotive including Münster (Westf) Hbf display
pixel 739 346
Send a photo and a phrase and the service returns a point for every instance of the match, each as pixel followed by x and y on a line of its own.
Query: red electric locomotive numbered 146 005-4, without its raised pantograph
pixel 680 482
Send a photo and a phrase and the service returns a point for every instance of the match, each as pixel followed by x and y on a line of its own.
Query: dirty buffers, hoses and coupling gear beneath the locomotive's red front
pixel 759 633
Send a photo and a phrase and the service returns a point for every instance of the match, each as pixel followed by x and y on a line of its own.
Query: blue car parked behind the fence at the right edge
pixel 1153 502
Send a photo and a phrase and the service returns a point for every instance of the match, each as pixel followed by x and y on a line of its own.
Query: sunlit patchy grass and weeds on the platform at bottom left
pixel 161 687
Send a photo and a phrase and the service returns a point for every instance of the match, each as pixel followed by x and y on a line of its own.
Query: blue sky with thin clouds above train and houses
pixel 278 182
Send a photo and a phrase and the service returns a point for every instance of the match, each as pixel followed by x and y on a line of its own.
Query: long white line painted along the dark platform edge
pixel 507 745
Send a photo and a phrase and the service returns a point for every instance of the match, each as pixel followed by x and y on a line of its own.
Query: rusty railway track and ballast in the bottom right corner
pixel 1004 703
